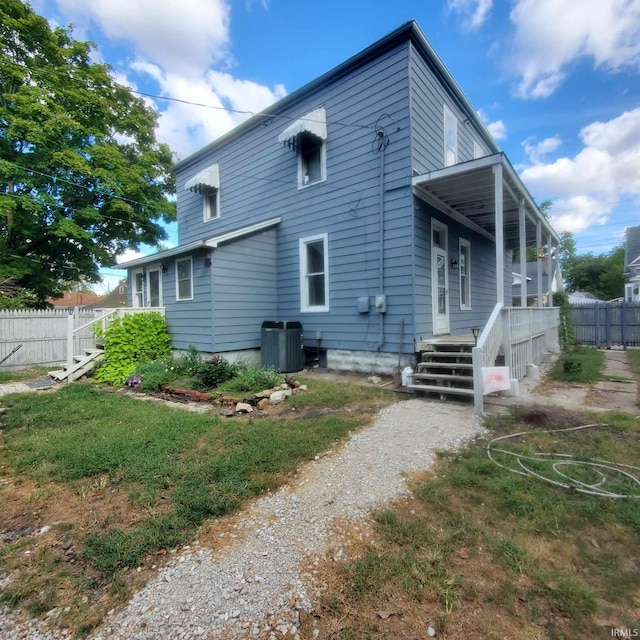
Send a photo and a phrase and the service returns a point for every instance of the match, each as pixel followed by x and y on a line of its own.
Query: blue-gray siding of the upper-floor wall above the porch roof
pixel 428 97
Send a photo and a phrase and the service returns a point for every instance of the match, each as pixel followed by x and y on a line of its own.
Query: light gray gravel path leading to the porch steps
pixel 257 583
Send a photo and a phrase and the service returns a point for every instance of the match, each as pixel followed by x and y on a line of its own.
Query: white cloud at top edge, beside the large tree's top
pixel 182 36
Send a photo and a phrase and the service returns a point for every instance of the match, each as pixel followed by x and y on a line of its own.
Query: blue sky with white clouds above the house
pixel 556 81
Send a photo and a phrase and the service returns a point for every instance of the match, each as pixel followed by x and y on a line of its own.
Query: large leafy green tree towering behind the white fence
pixel 82 177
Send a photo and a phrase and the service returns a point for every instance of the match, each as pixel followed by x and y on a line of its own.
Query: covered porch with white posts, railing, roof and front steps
pixel 487 196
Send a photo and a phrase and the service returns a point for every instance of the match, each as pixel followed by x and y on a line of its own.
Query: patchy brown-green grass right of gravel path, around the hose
pixel 481 552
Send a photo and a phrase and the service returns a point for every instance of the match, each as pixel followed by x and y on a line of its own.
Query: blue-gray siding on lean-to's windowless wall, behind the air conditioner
pixel 244 291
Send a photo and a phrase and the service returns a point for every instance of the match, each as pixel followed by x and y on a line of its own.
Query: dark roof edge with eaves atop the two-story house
pixel 408 32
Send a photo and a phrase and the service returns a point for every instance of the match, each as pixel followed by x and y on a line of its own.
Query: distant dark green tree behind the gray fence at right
pixel 600 275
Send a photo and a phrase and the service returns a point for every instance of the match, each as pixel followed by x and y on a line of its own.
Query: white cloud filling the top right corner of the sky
pixel 550 34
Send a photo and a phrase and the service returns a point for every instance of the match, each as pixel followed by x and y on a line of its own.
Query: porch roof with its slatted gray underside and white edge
pixel 468 190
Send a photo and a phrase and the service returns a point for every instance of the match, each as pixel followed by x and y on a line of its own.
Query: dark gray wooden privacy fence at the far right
pixel 607 324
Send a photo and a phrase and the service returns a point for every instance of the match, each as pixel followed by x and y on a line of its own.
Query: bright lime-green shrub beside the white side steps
pixel 130 341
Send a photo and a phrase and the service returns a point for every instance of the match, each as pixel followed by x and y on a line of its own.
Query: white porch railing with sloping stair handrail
pixel 524 335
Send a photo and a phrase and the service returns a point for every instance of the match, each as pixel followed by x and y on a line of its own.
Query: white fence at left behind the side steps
pixel 40 337
